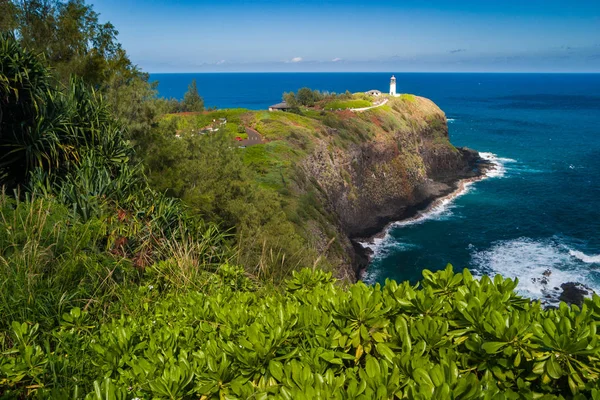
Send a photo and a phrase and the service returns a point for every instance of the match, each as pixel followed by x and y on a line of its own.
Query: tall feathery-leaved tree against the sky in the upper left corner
pixel 75 43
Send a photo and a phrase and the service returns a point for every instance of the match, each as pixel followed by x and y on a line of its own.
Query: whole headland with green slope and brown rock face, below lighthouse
pixel 323 178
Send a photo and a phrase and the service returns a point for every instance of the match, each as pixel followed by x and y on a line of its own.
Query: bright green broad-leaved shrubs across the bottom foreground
pixel 452 337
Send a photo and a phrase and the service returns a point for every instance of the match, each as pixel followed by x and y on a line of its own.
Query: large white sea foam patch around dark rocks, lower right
pixel 542 266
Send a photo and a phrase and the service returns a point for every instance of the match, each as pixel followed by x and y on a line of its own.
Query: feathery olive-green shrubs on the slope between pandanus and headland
pixel 212 178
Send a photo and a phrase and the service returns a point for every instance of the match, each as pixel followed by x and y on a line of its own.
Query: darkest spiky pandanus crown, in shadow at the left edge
pixel 31 121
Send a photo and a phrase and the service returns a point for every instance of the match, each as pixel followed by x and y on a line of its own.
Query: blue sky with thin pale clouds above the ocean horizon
pixel 350 35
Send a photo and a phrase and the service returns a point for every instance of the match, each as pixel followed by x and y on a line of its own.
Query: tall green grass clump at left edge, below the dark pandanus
pixel 49 261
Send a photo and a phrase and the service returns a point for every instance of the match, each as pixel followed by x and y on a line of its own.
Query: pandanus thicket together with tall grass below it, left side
pixel 78 219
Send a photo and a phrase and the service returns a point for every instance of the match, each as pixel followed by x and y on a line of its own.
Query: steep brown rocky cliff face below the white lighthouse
pixel 404 165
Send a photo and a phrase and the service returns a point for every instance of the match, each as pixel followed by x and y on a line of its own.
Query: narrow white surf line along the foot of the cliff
pixel 364 244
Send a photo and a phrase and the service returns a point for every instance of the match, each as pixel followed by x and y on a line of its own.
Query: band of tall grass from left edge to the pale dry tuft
pixel 52 259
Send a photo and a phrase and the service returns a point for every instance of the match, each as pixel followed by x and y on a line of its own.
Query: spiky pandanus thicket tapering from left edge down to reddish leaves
pixel 64 142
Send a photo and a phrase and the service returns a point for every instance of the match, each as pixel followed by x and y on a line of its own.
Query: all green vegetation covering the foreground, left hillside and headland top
pixel 145 256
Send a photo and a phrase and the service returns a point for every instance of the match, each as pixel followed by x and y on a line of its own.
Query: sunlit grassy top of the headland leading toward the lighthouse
pixel 290 137
